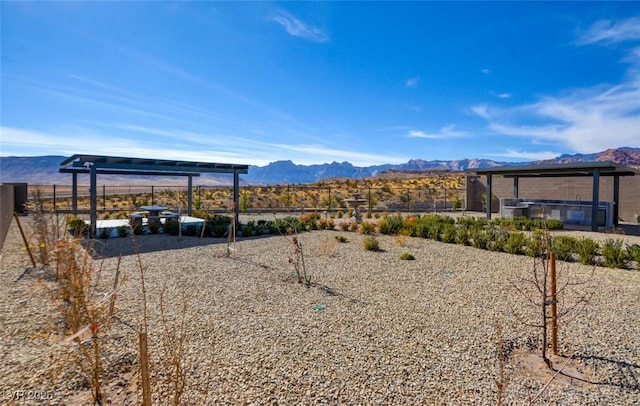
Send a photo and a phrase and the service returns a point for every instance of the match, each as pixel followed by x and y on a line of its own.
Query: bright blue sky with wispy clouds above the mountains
pixel 315 82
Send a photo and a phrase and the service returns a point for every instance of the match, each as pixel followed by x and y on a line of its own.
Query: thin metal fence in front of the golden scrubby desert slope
pixel 280 198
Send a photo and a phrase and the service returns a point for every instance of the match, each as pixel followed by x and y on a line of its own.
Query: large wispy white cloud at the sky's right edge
pixel 584 120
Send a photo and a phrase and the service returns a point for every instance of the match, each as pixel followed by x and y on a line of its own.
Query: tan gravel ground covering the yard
pixel 371 329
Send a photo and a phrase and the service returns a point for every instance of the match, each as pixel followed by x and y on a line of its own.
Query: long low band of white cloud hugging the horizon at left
pixel 198 147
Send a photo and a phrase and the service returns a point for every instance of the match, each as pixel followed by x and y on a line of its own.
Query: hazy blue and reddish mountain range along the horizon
pixel 42 170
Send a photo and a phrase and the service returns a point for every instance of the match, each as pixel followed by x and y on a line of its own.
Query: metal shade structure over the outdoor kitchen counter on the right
pixel 592 169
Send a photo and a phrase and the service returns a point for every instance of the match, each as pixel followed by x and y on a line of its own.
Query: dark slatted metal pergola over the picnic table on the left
pixel 110 165
